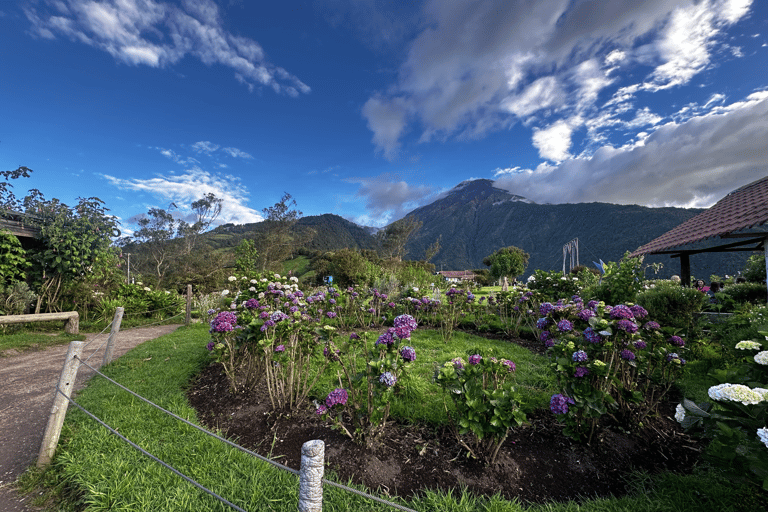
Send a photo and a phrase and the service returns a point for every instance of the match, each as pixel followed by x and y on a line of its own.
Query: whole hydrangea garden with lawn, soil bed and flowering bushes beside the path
pixel 585 391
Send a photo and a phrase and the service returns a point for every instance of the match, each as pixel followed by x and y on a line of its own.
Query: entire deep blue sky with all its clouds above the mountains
pixel 368 109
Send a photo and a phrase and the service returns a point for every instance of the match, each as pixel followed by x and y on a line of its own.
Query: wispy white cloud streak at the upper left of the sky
pixel 159 34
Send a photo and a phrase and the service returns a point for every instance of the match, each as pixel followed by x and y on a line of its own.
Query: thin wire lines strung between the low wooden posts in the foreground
pixel 227 441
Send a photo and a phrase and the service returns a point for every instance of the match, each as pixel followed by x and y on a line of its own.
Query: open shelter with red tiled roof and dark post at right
pixel 735 223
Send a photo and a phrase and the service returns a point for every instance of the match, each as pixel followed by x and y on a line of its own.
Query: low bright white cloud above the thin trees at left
pixel 185 188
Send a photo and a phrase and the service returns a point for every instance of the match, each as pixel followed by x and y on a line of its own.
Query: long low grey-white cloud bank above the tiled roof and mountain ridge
pixel 690 164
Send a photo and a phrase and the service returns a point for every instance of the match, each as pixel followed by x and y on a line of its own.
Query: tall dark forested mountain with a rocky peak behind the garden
pixel 474 219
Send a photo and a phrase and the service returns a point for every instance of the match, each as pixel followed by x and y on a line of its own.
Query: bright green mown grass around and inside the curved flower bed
pixel 93 470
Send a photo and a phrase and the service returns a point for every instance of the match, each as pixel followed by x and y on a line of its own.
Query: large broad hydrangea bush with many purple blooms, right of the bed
pixel 609 360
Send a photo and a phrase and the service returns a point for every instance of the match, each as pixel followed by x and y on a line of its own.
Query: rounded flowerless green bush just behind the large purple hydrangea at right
pixel 673 305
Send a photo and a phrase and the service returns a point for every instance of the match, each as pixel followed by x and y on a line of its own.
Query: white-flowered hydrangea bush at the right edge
pixel 737 418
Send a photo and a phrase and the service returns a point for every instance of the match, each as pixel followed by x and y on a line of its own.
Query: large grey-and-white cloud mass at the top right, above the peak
pixel 477 67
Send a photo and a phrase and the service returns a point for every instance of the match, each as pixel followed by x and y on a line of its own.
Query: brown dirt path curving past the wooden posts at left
pixel 27 383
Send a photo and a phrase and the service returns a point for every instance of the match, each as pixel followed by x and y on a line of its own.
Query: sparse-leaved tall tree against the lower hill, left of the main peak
pixel 275 242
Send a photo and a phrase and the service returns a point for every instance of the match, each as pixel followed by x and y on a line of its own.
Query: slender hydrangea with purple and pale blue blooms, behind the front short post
pixel 370 376
